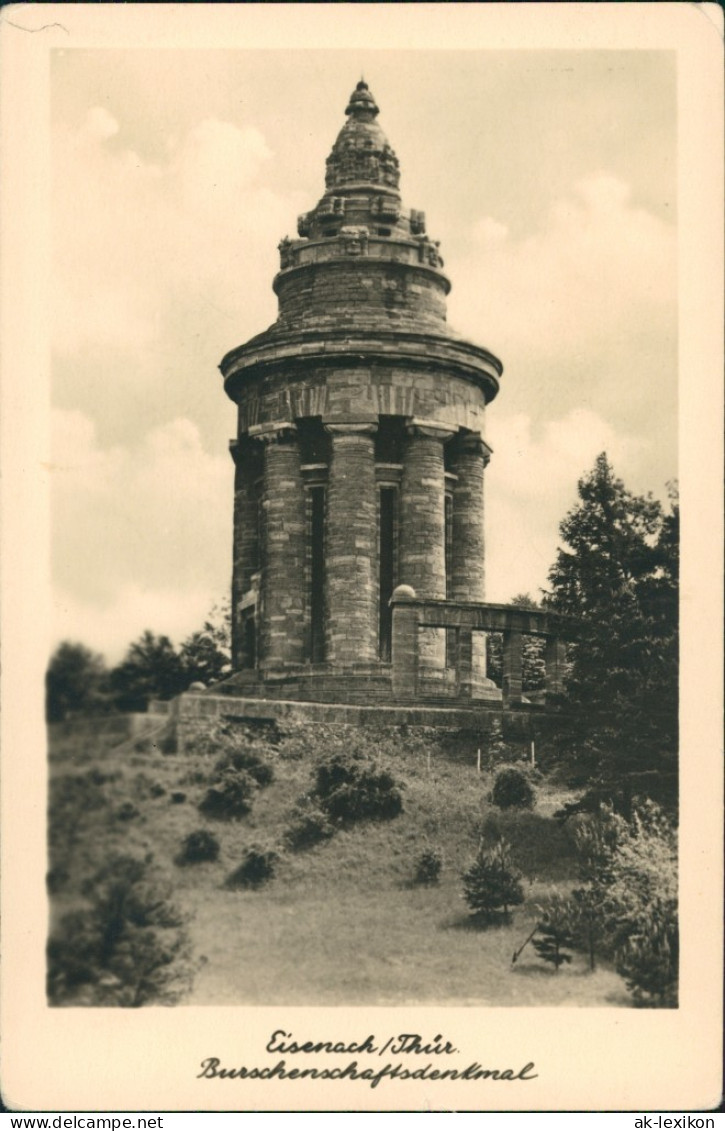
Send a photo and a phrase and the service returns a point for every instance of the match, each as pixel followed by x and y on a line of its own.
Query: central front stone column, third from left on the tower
pixel 351 624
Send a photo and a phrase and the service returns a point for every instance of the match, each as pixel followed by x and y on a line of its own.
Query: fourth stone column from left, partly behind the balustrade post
pixel 422 555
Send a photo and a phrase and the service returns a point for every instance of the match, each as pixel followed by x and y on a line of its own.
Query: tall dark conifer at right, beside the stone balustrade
pixel 617 574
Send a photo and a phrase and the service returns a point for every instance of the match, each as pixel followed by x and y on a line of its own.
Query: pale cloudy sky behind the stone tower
pixel 550 179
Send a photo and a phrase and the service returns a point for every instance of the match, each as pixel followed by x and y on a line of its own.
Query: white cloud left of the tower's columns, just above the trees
pixel 142 536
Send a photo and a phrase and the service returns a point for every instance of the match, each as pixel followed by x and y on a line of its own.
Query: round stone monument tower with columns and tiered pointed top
pixel 360 454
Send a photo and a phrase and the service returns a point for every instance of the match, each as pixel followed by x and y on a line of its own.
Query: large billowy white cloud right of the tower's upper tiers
pixel 583 313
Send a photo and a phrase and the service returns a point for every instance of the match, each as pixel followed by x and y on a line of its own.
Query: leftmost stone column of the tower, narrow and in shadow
pixel 247 550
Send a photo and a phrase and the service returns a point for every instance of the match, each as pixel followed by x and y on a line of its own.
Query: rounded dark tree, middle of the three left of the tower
pixel 152 670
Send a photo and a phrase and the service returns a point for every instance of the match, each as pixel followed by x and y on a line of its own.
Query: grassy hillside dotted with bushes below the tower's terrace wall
pixel 343 922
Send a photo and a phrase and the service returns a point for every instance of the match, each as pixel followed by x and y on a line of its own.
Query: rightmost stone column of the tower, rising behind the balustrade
pixel 468 580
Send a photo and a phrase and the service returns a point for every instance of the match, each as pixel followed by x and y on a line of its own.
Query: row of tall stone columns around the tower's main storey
pixel 272 539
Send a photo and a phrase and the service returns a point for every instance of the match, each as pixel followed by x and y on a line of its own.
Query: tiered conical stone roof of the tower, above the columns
pixel 362 267
